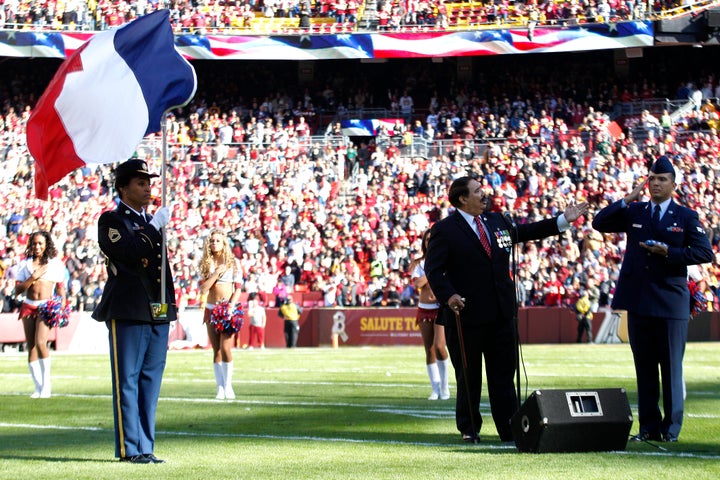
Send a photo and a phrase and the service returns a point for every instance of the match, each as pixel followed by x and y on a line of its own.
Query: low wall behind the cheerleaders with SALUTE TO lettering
pixel 350 326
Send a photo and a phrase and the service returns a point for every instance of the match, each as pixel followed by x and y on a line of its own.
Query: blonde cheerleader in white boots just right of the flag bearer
pixel 220 279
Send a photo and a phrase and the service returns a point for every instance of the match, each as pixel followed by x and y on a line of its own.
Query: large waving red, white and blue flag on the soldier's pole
pixel 106 97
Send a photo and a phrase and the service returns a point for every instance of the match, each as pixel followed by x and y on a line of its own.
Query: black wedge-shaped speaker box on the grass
pixel 573 421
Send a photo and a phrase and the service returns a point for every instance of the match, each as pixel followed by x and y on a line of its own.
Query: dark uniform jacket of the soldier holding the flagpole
pixel 132 253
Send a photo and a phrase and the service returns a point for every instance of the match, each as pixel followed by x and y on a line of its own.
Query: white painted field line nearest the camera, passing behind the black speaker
pixel 479 446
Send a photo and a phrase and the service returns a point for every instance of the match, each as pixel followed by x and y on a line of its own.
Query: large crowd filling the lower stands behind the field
pixel 309 211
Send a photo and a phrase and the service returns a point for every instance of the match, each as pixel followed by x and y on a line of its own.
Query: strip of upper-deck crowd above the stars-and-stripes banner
pixel 218 16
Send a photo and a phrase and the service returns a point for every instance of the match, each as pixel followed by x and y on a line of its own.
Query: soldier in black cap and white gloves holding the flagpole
pixel 132 307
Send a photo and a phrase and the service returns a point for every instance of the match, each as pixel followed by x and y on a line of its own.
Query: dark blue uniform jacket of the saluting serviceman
pixel 650 284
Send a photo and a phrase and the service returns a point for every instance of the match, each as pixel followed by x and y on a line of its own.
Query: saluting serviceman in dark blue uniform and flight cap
pixel 663 238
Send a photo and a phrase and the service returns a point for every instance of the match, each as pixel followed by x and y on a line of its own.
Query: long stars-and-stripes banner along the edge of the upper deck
pixel 696 24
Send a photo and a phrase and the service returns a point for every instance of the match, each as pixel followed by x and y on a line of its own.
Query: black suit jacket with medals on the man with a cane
pixel 456 262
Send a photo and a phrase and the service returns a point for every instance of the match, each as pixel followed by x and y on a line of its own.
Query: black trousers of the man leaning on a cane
pixel 495 343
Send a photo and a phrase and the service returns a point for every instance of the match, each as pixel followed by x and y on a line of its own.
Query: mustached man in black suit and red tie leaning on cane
pixel 470 277
